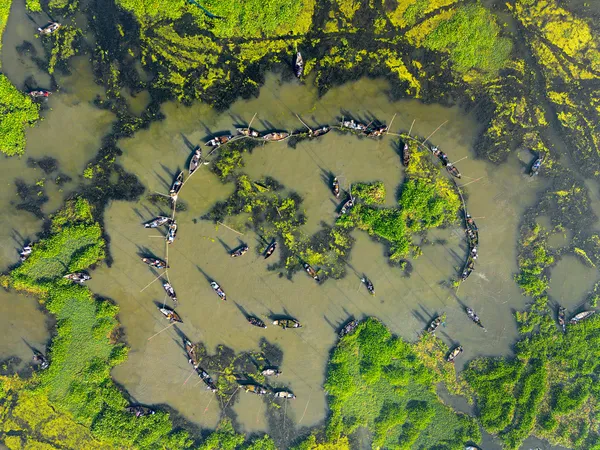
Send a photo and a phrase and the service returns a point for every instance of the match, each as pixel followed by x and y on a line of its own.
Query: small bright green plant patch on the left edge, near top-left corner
pixel 16 112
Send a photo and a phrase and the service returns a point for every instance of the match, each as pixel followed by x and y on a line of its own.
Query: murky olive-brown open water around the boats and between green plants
pixel 157 368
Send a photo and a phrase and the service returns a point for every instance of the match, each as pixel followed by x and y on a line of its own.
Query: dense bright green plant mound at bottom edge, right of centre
pixel 379 381
